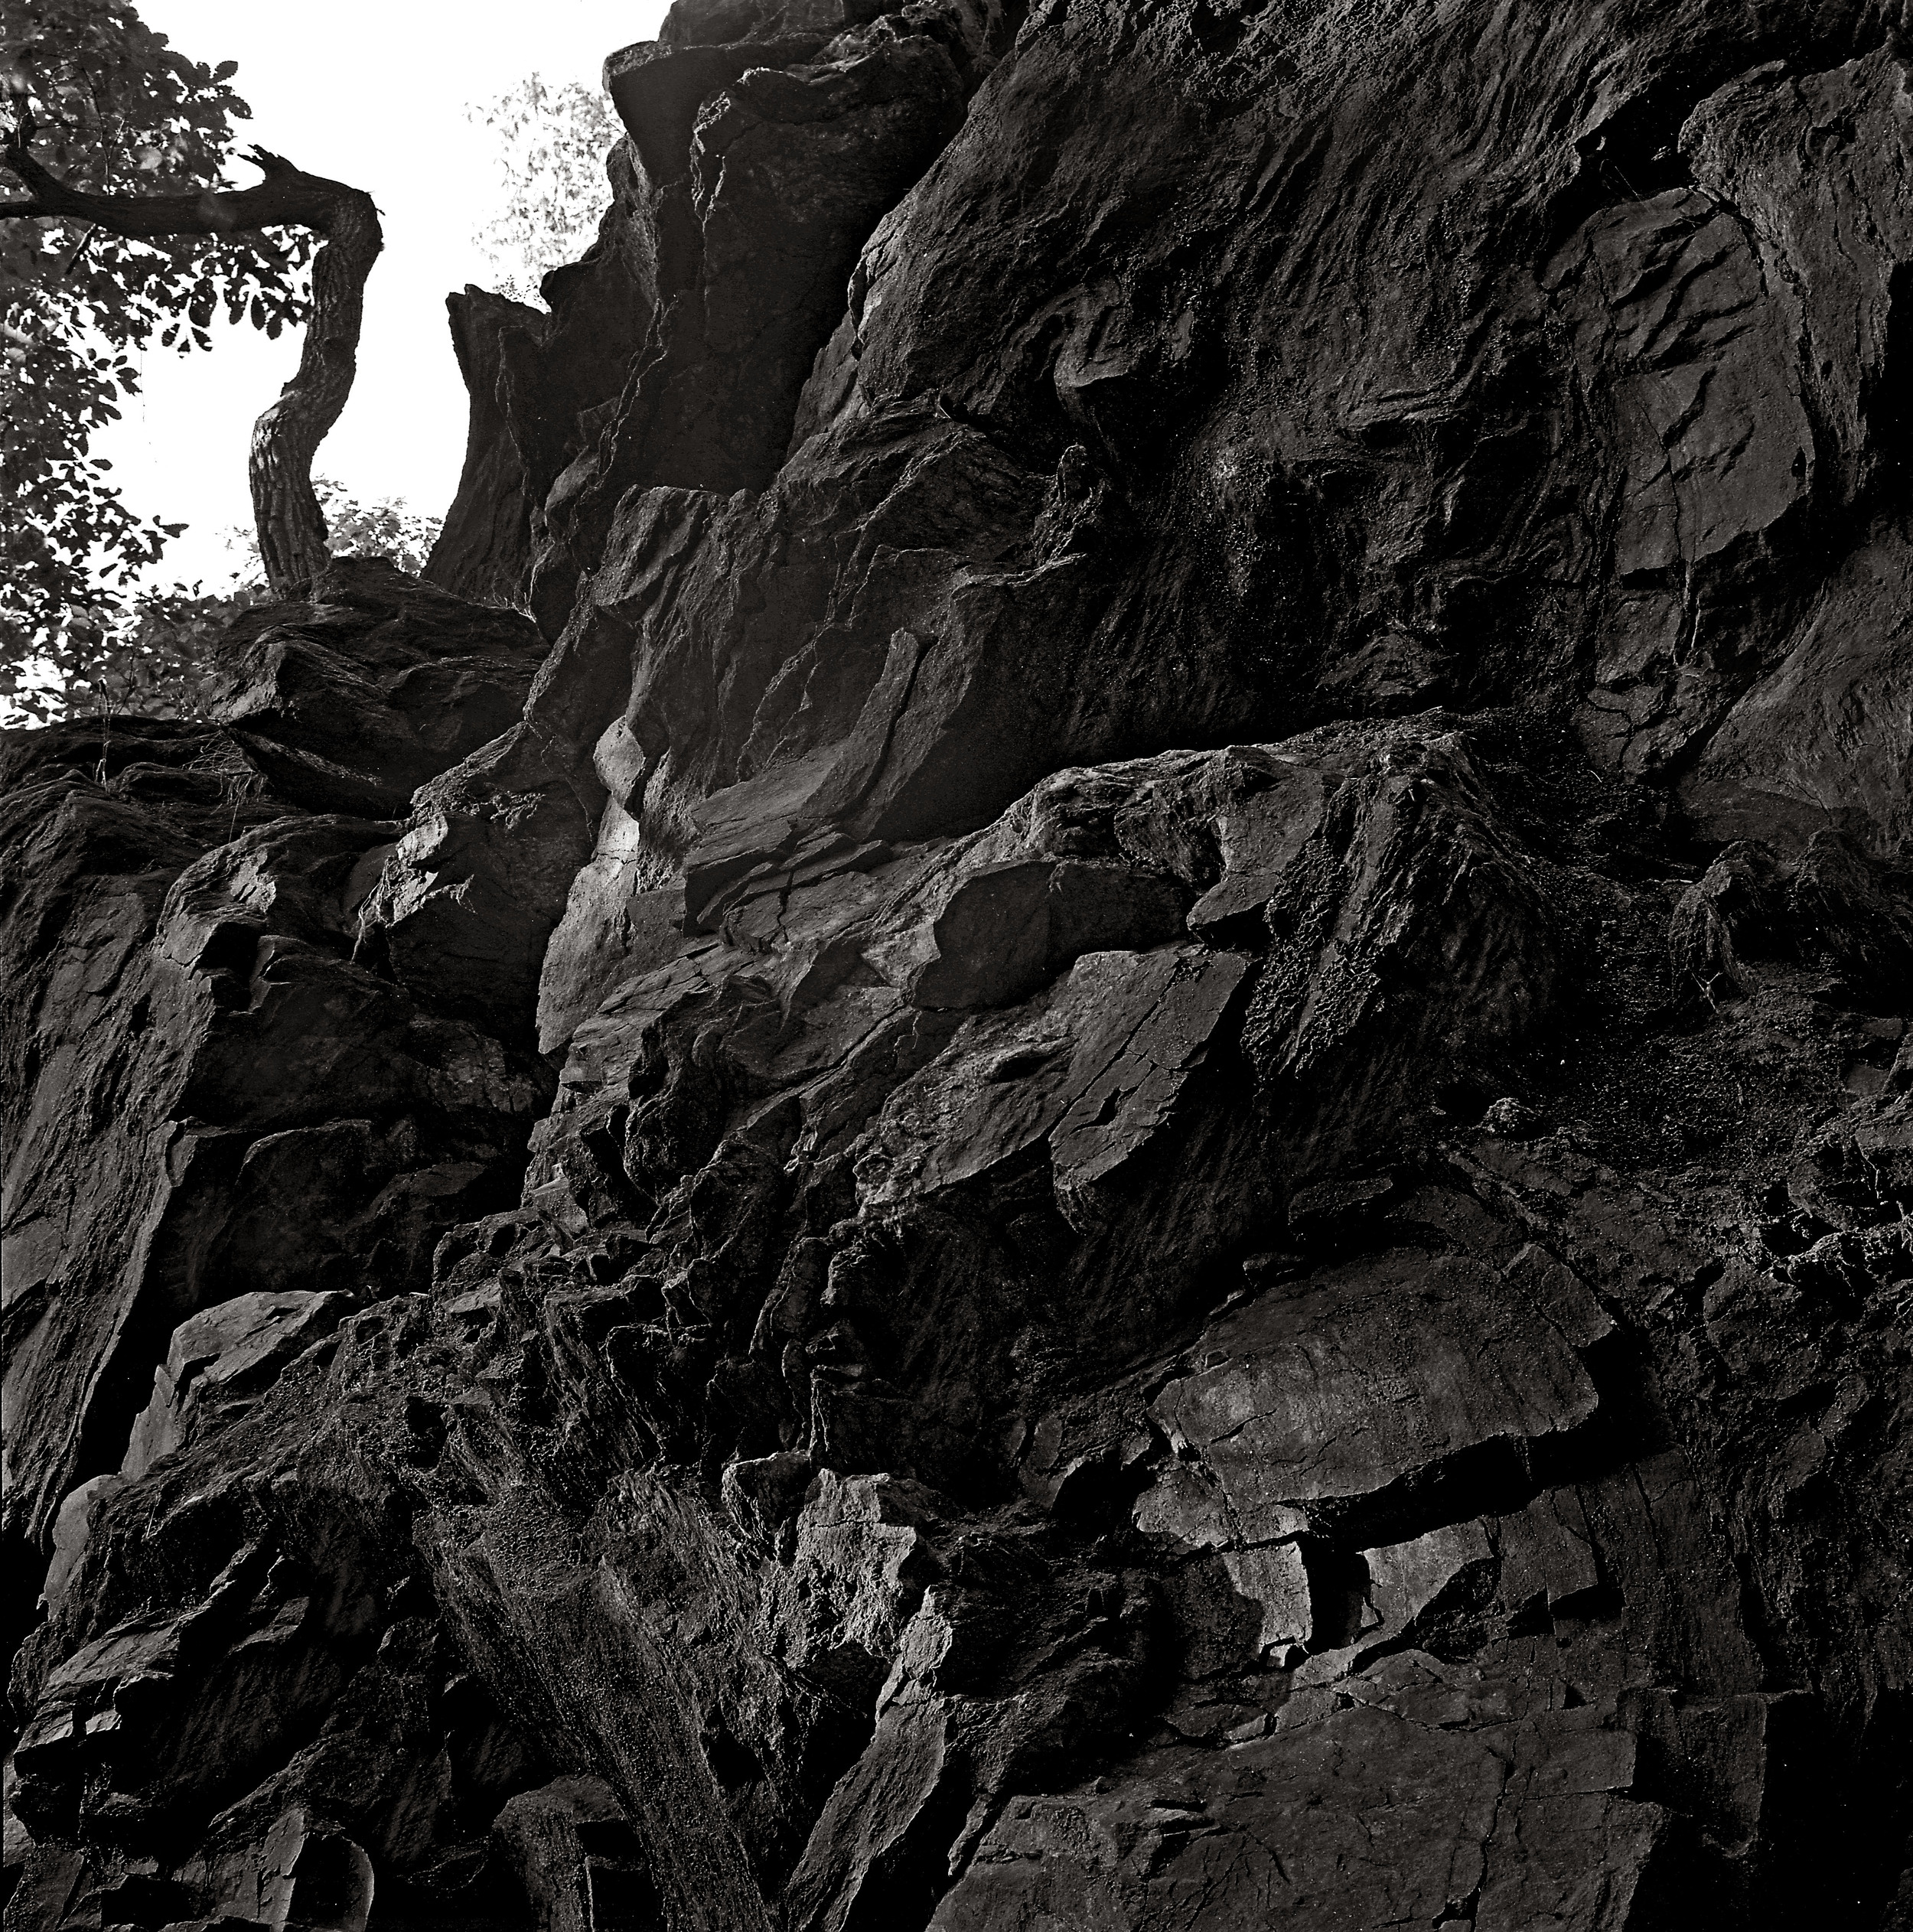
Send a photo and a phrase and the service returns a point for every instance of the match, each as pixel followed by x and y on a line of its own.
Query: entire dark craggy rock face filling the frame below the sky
pixel 1124 1137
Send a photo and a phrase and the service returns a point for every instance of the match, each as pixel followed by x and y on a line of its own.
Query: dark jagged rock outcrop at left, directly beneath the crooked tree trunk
pixel 210 1096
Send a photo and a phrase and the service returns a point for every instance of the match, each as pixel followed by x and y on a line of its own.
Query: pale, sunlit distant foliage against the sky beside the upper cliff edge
pixel 552 150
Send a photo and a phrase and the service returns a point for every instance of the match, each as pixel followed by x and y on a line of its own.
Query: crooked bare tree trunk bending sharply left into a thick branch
pixel 291 432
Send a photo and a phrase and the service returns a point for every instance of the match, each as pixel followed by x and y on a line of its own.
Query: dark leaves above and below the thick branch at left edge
pixel 117 111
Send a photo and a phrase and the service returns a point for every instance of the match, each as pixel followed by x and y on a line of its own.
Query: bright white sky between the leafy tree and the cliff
pixel 372 94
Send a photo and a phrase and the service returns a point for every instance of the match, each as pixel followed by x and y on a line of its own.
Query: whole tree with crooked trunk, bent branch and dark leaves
pixel 123 237
